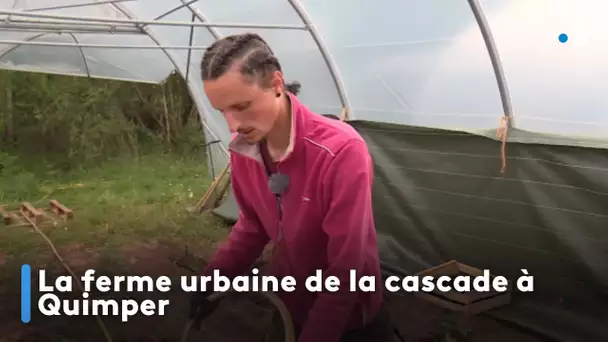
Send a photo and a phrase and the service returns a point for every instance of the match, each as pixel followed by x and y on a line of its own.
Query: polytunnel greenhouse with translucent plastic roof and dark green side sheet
pixel 487 119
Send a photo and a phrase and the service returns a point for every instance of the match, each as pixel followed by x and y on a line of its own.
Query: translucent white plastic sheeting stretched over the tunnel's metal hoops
pixel 421 63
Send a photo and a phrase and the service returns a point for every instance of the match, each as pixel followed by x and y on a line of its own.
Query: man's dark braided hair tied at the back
pixel 255 59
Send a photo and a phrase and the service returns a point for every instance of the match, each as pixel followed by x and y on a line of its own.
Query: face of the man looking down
pixel 249 109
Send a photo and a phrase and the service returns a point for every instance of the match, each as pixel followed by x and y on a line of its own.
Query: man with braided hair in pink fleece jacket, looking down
pixel 302 181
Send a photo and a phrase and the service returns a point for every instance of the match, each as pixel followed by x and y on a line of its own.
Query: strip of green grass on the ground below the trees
pixel 115 203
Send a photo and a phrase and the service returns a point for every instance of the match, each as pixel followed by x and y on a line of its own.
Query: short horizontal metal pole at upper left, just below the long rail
pixel 15 26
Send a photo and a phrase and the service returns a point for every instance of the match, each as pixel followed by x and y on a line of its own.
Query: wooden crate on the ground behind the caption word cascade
pixel 469 303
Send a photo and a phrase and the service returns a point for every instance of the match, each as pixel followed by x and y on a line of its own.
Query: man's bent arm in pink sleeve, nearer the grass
pixel 245 242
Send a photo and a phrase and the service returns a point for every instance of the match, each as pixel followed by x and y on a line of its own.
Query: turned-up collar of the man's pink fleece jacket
pixel 239 144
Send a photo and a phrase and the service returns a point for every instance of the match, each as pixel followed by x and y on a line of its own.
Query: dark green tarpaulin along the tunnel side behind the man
pixel 439 196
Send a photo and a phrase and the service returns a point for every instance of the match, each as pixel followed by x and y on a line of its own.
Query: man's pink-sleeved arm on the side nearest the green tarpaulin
pixel 348 186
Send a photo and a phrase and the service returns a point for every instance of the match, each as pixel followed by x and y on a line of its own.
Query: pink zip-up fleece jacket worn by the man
pixel 327 222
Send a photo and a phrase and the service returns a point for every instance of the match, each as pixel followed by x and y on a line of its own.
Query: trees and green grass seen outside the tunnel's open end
pixel 59 139
